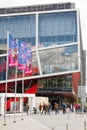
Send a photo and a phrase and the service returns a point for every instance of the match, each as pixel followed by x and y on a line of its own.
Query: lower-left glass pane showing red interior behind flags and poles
pixel 12 70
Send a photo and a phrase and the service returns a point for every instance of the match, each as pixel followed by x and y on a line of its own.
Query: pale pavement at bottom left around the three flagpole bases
pixel 28 123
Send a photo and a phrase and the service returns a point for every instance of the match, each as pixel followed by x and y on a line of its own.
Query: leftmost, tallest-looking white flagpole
pixel 5 99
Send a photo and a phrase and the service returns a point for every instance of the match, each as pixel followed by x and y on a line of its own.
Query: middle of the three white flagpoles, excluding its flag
pixel 15 85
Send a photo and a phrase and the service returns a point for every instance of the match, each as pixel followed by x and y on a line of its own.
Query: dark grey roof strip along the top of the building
pixel 37 8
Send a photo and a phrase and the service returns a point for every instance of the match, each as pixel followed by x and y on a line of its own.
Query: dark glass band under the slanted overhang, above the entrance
pixel 56 84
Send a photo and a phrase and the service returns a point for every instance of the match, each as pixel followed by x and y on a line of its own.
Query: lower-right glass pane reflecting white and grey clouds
pixel 59 59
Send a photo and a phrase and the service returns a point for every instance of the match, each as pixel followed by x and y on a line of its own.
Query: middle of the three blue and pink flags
pixel 21 55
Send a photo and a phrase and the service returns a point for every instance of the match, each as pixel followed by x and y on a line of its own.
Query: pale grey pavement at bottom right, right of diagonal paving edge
pixel 69 121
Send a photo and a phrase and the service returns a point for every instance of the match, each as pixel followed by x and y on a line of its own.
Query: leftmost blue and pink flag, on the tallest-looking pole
pixel 12 52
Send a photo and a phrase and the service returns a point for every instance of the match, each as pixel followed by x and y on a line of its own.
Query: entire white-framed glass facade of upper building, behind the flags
pixel 57 43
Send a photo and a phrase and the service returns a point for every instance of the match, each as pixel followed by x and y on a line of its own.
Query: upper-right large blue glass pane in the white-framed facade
pixel 57 28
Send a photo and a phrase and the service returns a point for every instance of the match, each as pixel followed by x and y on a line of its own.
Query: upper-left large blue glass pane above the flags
pixel 22 27
